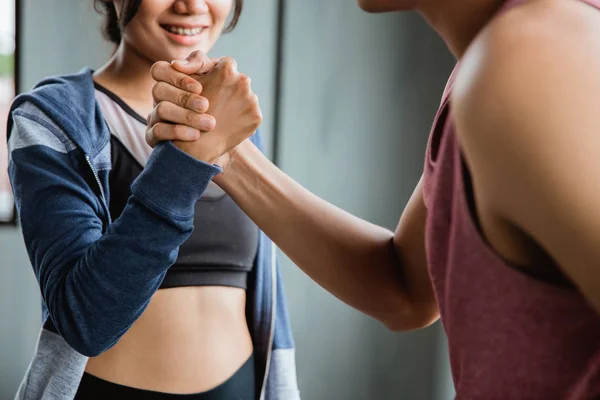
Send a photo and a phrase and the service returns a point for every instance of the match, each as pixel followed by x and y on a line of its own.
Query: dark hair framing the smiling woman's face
pixel 113 26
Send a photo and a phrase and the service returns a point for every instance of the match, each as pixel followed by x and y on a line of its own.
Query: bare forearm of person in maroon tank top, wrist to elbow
pixel 351 258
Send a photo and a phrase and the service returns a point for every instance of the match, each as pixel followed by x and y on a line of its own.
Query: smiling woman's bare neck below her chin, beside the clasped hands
pixel 127 74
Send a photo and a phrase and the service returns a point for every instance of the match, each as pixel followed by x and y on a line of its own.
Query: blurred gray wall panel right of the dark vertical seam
pixel 358 97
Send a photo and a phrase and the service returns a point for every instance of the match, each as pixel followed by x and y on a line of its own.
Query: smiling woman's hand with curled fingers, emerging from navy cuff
pixel 180 110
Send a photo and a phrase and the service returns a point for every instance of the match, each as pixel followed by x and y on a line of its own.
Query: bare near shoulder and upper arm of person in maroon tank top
pixel 528 121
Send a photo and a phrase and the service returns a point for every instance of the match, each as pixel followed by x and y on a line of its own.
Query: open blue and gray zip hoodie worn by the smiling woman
pixel 96 275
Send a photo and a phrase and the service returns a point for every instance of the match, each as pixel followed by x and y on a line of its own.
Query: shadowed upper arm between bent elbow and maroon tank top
pixel 409 244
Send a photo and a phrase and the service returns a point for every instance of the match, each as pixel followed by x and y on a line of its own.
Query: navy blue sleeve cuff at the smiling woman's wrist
pixel 173 181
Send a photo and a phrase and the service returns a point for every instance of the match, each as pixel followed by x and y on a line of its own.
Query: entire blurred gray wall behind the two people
pixel 358 96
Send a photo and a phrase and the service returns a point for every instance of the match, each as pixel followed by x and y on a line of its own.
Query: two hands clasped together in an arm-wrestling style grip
pixel 205 106
